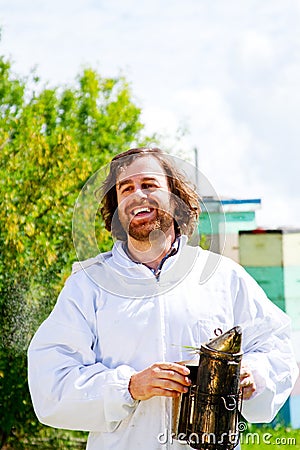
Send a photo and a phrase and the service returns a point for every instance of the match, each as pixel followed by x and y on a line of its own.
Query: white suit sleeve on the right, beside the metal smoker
pixel 267 350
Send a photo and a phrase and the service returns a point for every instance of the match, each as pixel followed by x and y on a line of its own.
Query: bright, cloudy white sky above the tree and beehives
pixel 220 76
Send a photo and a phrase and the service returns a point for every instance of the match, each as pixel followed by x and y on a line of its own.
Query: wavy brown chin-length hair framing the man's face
pixel 187 207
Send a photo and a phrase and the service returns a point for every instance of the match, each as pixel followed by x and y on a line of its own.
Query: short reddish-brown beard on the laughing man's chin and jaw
pixel 141 231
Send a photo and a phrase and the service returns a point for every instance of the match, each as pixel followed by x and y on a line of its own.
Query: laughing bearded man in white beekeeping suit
pixel 107 358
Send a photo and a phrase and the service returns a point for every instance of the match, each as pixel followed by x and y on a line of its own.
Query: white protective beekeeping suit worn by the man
pixel 114 317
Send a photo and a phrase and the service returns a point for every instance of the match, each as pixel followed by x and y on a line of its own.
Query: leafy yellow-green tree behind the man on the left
pixel 51 142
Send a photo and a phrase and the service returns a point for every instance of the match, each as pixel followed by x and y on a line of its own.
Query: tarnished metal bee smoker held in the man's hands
pixel 207 415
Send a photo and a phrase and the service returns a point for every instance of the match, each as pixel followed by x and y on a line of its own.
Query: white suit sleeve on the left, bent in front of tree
pixel 69 387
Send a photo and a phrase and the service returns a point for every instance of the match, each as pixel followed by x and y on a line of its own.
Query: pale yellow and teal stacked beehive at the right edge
pixel 272 257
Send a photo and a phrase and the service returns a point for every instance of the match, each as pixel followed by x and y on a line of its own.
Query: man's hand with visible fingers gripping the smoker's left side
pixel 161 379
